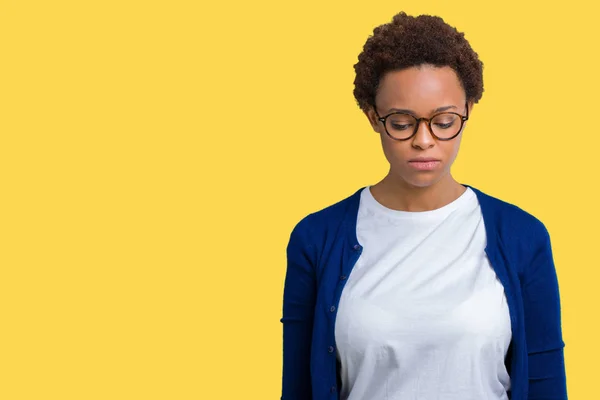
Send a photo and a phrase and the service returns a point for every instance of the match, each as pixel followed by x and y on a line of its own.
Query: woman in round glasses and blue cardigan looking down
pixel 419 287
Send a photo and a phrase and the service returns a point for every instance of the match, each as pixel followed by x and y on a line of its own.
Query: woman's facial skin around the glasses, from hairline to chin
pixel 423 91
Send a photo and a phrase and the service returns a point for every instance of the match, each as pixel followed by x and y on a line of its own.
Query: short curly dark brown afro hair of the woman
pixel 412 41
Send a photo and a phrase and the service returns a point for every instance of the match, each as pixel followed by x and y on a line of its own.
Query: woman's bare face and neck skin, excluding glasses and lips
pixel 421 89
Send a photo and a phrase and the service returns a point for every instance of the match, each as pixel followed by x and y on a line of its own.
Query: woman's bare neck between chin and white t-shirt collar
pixel 399 195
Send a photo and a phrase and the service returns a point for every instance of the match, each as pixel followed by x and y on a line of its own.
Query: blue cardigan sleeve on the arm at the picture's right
pixel 541 301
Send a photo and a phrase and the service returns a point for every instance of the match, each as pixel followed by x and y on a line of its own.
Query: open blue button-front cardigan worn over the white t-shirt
pixel 322 250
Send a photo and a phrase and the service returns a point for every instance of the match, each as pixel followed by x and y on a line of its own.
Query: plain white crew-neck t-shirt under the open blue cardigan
pixel 423 315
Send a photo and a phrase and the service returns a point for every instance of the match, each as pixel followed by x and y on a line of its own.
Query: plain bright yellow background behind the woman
pixel 155 156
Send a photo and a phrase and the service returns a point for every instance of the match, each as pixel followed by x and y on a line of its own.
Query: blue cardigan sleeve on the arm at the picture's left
pixel 298 310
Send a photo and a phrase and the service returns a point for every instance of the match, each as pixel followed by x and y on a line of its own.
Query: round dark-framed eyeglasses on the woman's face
pixel 443 126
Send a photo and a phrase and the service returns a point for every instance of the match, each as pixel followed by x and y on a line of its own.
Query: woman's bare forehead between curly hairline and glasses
pixel 421 87
